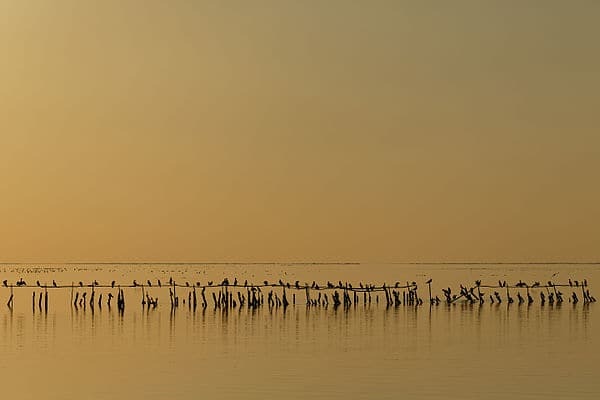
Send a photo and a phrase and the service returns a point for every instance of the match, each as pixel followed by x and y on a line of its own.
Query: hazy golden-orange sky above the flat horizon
pixel 299 130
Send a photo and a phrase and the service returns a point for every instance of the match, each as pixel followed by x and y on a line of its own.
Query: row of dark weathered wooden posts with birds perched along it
pixel 253 296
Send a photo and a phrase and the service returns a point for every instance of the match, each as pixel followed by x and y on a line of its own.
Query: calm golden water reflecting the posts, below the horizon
pixel 458 351
